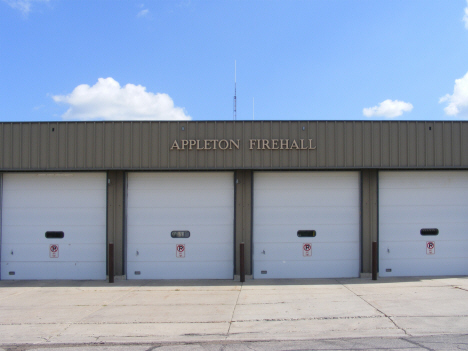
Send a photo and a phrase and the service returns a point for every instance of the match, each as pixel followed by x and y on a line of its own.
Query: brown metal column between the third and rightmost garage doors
pixel 369 216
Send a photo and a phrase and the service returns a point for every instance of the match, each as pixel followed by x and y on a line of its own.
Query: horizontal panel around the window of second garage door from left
pixel 203 233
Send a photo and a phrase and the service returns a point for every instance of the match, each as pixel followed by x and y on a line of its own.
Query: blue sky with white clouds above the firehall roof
pixel 296 60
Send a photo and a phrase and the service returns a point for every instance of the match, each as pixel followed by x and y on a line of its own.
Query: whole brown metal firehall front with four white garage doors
pixel 176 199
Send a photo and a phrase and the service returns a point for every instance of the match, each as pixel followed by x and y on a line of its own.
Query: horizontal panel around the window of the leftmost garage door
pixel 35 235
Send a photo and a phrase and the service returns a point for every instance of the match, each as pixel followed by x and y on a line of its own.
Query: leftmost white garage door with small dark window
pixel 54 226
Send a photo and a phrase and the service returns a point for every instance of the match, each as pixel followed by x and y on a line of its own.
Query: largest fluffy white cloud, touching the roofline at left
pixel 107 100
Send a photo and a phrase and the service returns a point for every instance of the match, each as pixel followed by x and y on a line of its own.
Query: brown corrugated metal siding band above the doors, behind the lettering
pixel 146 145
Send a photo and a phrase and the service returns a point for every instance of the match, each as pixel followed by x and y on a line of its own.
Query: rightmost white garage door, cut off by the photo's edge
pixel 423 221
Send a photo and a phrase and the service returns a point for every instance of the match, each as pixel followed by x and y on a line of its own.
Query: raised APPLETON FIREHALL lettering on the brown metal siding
pixel 230 144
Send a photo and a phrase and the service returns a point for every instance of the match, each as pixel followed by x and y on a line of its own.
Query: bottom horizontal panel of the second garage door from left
pixel 178 270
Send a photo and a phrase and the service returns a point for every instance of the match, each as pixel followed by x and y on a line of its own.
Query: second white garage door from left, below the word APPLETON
pixel 163 208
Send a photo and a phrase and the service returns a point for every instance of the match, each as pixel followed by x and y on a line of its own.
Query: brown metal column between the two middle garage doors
pixel 243 220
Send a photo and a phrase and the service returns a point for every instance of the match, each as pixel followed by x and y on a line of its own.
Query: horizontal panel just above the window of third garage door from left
pixel 313 215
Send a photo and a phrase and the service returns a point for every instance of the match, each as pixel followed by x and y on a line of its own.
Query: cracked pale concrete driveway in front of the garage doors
pixel 56 312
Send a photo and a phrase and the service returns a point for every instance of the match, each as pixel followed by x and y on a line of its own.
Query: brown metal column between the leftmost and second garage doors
pixel 115 218
